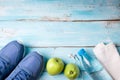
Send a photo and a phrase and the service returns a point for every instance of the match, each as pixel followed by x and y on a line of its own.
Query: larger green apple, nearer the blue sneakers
pixel 55 66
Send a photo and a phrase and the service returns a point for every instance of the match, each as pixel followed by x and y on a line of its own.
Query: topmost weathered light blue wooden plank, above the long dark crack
pixel 59 10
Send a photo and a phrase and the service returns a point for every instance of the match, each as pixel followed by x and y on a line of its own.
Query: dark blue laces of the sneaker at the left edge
pixel 3 66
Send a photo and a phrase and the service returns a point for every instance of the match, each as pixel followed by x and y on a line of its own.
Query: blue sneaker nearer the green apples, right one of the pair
pixel 28 69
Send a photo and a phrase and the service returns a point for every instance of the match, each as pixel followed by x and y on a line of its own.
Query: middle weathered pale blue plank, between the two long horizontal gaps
pixel 53 34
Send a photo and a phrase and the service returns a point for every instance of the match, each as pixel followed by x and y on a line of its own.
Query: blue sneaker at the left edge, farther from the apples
pixel 10 56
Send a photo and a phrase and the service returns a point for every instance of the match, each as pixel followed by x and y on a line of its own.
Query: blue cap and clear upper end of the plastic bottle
pixel 90 63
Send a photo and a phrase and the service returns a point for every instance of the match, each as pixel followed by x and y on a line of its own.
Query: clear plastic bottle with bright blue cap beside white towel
pixel 92 67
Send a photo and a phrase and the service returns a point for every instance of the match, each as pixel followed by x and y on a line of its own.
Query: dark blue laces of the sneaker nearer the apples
pixel 22 75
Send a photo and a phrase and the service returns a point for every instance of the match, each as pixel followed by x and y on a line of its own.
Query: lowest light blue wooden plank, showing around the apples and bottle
pixel 62 53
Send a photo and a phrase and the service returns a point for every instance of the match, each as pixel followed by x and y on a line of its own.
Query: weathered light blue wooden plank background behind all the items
pixel 57 28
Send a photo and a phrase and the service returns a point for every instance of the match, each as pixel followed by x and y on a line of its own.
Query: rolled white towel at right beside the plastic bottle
pixel 110 58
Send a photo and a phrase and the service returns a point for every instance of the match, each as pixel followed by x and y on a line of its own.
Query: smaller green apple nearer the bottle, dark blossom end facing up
pixel 71 71
